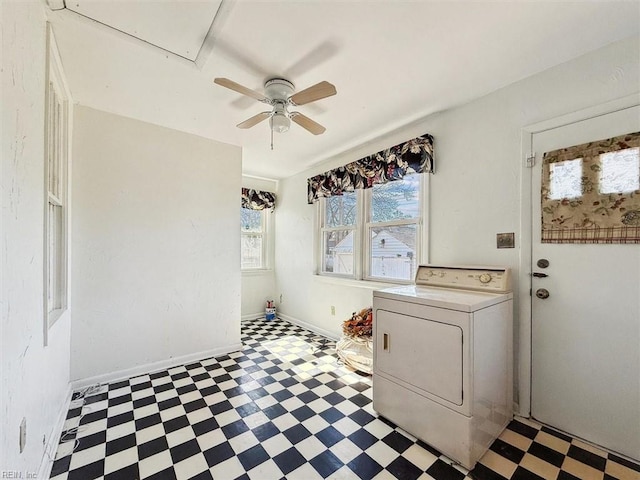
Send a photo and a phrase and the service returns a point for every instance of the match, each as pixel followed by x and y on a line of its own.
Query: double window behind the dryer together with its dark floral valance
pixel 371 214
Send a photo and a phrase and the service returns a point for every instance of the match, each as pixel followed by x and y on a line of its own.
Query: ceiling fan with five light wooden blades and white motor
pixel 279 94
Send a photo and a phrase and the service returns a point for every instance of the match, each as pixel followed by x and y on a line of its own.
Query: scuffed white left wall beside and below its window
pixel 35 378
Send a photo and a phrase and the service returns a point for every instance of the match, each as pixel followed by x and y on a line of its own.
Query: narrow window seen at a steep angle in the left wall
pixel 57 118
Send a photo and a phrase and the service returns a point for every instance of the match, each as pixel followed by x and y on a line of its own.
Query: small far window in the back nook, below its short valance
pixel 253 238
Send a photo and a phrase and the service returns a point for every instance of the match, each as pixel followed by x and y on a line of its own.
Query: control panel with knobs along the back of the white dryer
pixel 490 279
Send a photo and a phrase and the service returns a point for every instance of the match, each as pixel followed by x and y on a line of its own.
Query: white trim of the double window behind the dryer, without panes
pixel 361 265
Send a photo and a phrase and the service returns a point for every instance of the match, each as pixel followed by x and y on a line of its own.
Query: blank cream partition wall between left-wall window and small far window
pixel 156 244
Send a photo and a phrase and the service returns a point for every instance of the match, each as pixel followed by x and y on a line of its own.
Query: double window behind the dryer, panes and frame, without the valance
pixel 373 234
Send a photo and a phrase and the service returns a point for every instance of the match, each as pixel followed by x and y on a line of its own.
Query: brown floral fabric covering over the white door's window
pixel 591 192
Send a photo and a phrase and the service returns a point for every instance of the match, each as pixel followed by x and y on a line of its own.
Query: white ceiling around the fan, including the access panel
pixel 392 62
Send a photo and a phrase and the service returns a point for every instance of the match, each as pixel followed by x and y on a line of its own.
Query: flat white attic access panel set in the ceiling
pixel 178 27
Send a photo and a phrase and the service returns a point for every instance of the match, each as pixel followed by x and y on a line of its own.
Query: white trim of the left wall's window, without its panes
pixel 56 78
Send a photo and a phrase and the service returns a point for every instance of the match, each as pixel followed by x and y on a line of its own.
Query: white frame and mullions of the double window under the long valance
pixel 362 243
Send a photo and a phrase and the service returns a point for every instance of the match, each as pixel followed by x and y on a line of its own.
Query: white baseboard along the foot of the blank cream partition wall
pixel 153 367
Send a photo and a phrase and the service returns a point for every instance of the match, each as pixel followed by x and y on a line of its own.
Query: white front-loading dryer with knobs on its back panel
pixel 443 357
